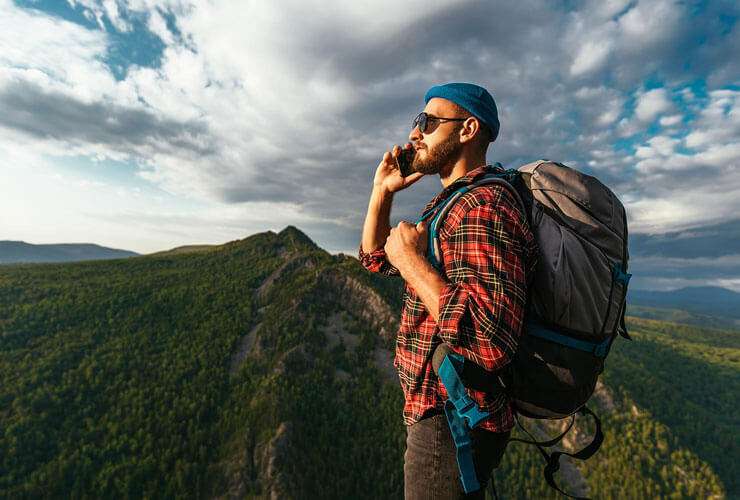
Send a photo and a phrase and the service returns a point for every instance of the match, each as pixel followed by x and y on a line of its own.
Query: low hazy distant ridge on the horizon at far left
pixel 19 251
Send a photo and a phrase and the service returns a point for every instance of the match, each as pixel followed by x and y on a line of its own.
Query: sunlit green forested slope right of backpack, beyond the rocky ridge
pixel 687 379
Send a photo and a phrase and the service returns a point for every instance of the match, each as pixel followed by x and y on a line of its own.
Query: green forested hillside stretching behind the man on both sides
pixel 263 368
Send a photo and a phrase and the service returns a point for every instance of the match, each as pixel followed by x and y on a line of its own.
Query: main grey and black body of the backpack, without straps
pixel 578 294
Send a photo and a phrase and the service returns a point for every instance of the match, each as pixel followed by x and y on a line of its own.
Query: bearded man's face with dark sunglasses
pixel 439 146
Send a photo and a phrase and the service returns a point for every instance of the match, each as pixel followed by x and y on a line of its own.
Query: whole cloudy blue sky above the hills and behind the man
pixel 146 124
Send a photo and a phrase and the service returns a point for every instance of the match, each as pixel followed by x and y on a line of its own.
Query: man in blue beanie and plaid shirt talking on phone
pixel 476 305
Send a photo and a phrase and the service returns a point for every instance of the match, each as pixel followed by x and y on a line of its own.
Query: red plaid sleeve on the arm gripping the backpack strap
pixel 482 305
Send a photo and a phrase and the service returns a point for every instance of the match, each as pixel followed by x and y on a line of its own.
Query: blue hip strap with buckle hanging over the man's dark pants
pixel 462 414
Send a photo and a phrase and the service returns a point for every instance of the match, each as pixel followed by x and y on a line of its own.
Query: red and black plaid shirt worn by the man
pixel 488 252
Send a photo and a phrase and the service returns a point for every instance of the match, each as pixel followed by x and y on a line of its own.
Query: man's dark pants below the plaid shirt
pixel 430 464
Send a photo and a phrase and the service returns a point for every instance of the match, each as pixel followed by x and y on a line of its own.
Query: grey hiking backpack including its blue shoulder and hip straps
pixel 575 308
